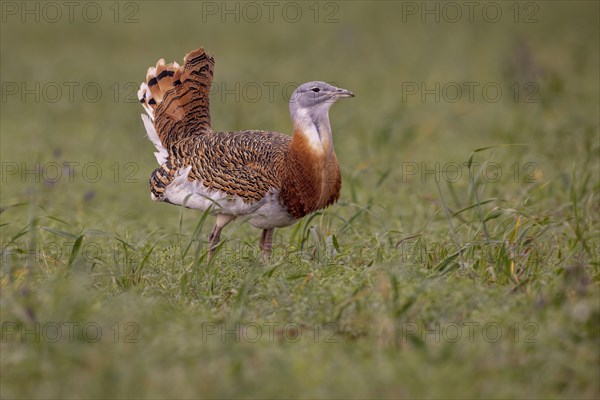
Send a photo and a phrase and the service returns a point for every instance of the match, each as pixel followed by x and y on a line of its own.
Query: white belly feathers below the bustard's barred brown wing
pixel 264 214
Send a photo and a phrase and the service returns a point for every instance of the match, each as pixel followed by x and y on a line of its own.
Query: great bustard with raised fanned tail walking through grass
pixel 270 178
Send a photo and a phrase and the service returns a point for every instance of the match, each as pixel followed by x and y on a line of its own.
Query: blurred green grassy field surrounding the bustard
pixel 462 260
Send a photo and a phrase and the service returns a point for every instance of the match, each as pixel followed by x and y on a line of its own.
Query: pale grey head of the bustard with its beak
pixel 315 98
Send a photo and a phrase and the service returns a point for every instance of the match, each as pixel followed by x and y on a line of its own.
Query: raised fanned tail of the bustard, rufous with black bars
pixel 176 97
